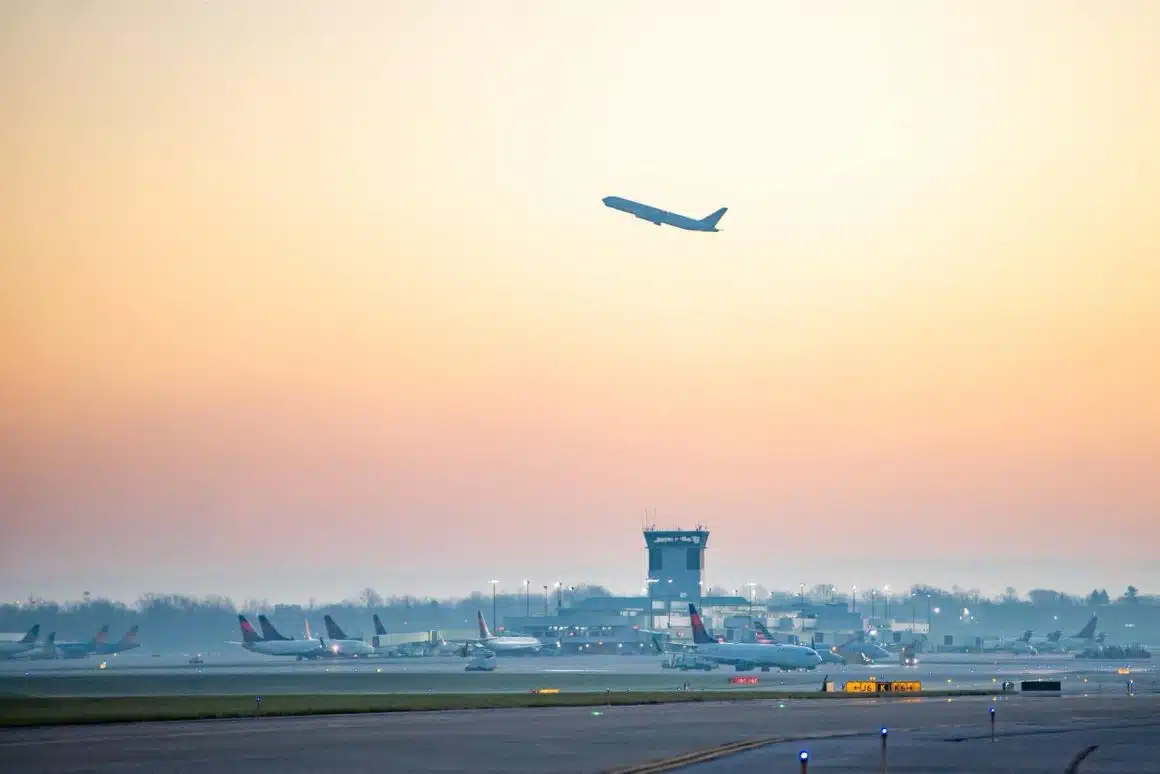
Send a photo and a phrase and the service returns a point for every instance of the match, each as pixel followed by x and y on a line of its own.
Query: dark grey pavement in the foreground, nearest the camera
pixel 1034 733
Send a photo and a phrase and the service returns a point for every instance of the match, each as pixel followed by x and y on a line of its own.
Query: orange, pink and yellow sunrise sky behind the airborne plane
pixel 303 298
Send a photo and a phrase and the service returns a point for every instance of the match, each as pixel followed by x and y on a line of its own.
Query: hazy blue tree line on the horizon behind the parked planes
pixel 170 621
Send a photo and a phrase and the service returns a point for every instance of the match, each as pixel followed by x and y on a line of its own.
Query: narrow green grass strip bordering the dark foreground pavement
pixel 121 710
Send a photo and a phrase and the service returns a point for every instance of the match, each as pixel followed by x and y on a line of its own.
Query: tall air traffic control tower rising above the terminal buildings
pixel 677 563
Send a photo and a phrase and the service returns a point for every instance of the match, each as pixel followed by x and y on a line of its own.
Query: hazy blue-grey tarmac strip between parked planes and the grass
pixel 127 677
